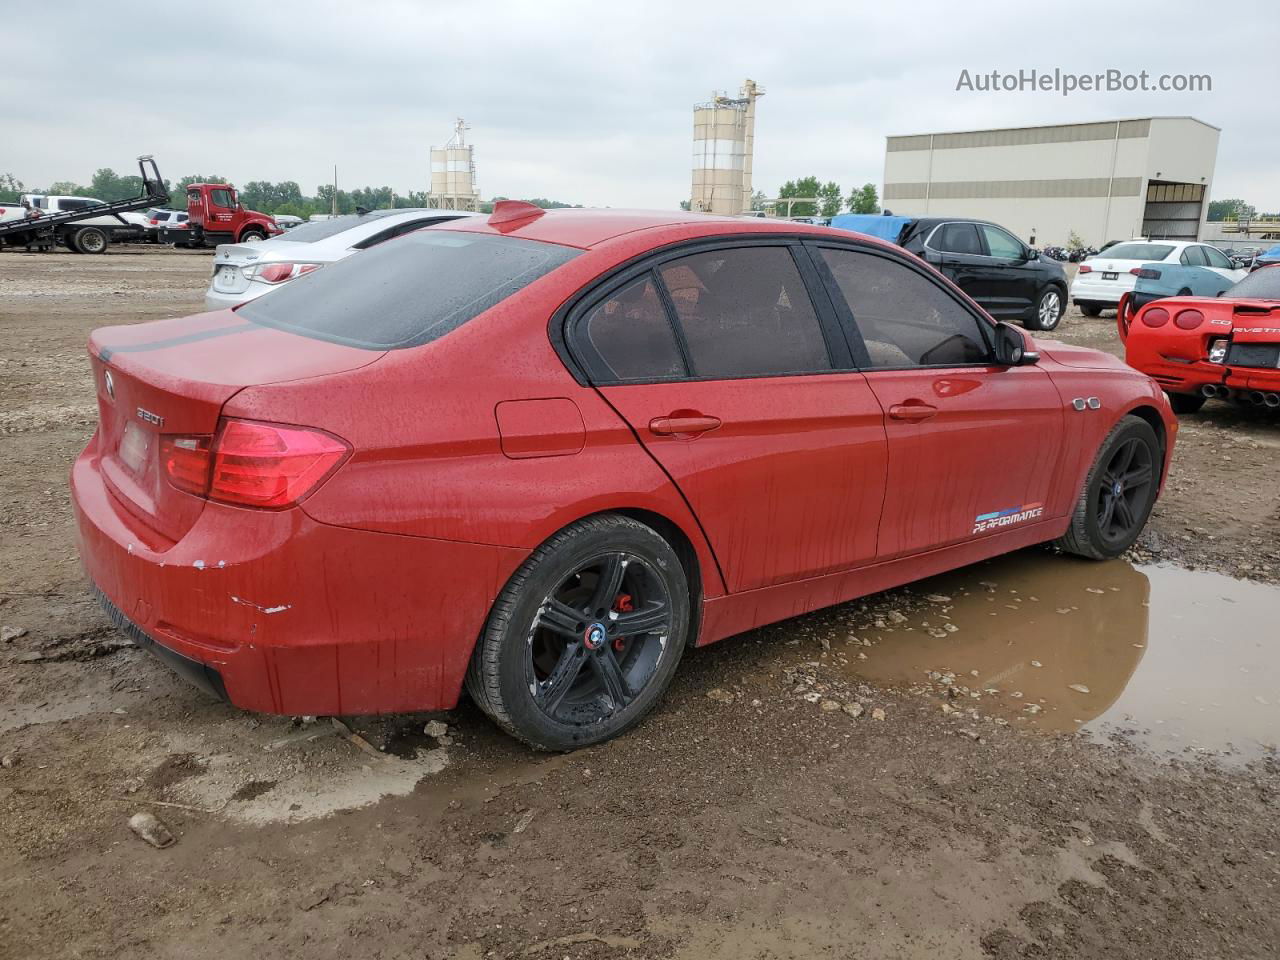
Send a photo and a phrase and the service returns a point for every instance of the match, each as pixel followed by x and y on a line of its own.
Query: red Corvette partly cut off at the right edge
pixel 1201 348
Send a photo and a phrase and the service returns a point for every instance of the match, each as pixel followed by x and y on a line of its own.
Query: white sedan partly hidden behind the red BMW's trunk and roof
pixel 244 272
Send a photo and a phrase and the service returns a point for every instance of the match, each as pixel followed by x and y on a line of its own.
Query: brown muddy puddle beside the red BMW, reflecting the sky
pixel 1176 660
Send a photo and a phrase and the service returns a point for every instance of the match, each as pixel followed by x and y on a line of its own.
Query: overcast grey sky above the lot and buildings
pixel 591 103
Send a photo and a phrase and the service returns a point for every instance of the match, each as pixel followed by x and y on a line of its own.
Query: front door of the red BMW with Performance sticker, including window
pixel 973 447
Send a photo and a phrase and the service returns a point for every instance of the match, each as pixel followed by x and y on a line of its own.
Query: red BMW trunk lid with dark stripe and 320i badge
pixel 172 378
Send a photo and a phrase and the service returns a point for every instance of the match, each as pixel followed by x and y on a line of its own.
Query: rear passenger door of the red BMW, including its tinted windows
pixel 739 383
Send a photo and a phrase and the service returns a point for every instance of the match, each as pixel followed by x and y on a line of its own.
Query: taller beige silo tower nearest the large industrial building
pixel 724 143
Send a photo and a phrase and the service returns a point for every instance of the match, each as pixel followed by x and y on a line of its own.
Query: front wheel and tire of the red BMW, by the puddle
pixel 1094 532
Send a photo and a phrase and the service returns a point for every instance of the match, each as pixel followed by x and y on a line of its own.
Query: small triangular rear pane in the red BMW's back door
pixel 633 335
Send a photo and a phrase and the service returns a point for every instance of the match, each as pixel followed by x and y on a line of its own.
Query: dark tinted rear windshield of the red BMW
pixel 408 291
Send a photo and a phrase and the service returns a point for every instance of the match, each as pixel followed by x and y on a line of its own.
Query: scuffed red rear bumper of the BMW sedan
pixel 280 614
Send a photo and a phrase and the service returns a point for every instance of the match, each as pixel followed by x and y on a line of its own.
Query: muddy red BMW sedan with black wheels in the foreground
pixel 541 454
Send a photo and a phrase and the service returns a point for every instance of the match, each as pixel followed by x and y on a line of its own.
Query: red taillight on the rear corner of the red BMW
pixel 252 464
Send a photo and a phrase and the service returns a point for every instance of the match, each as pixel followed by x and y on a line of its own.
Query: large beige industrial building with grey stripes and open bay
pixel 1117 180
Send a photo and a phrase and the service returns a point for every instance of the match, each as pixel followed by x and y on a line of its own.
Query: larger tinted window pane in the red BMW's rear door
pixel 746 313
